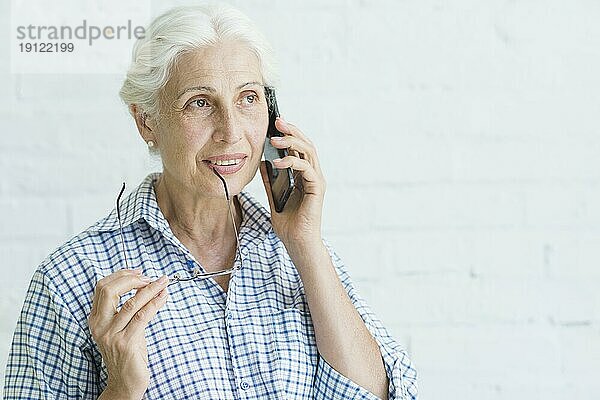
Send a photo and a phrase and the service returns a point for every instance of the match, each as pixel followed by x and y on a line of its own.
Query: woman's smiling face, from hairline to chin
pixel 214 112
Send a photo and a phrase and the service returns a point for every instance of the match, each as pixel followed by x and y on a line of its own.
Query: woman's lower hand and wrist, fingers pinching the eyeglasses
pixel 119 334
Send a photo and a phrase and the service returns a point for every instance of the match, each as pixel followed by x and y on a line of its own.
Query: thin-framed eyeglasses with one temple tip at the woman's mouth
pixel 197 272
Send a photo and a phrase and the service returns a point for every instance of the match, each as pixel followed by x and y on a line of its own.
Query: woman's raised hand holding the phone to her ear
pixel 299 224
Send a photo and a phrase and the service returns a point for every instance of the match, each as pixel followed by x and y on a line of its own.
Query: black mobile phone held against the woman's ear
pixel 281 180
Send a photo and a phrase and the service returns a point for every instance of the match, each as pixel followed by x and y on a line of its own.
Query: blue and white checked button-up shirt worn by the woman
pixel 254 342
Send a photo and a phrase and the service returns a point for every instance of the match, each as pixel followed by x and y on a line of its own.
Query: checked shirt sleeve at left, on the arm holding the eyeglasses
pixel 48 359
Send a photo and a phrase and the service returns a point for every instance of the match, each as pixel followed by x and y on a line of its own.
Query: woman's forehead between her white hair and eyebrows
pixel 224 67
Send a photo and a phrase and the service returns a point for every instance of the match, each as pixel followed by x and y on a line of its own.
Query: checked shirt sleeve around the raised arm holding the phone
pixel 402 376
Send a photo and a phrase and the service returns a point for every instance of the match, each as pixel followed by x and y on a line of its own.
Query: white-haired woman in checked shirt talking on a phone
pixel 190 288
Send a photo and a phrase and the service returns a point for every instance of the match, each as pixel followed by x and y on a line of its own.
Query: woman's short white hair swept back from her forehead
pixel 182 29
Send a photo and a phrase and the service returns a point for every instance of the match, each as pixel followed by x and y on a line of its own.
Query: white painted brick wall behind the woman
pixel 461 137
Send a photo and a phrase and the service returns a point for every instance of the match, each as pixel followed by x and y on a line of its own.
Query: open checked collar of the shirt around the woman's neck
pixel 141 204
